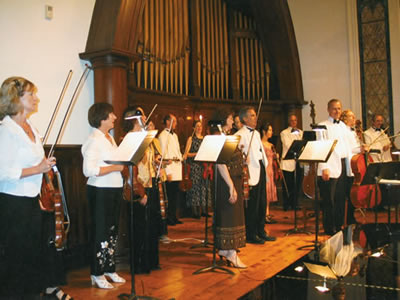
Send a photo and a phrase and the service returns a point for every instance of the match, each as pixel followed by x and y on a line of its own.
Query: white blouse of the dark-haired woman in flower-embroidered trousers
pixel 95 151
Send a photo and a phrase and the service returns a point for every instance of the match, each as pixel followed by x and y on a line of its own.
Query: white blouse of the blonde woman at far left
pixel 18 152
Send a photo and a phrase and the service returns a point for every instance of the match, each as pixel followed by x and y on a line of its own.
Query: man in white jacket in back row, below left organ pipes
pixel 172 155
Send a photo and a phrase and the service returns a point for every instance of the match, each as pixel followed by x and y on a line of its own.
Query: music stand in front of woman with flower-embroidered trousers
pixel 129 153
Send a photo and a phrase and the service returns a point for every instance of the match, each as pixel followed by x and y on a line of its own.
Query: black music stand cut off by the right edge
pixel 386 173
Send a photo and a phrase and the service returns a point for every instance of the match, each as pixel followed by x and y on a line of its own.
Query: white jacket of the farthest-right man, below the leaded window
pixel 371 135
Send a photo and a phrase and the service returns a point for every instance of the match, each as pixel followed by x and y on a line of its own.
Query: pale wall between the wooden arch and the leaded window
pixel 321 33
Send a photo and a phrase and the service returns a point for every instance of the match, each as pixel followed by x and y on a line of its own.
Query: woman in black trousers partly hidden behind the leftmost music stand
pixel 147 216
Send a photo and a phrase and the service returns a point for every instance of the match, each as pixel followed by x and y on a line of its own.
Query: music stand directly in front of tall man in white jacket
pixel 316 152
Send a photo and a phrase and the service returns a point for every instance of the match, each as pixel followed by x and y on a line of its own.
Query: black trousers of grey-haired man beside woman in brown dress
pixel 256 207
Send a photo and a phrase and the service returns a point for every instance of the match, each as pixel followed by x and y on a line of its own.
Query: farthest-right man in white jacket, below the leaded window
pixel 378 140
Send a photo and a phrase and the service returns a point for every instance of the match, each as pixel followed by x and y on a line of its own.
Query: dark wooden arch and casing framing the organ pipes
pixel 112 44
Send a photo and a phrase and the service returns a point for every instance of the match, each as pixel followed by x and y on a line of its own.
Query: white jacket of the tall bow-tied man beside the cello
pixel 338 132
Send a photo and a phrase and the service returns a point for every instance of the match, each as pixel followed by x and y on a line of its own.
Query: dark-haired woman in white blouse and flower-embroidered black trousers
pixel 104 193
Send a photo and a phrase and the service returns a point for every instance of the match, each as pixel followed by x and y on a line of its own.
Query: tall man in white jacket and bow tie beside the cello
pixel 331 175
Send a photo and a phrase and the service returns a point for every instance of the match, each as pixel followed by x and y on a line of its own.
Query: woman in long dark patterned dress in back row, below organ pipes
pixel 197 196
